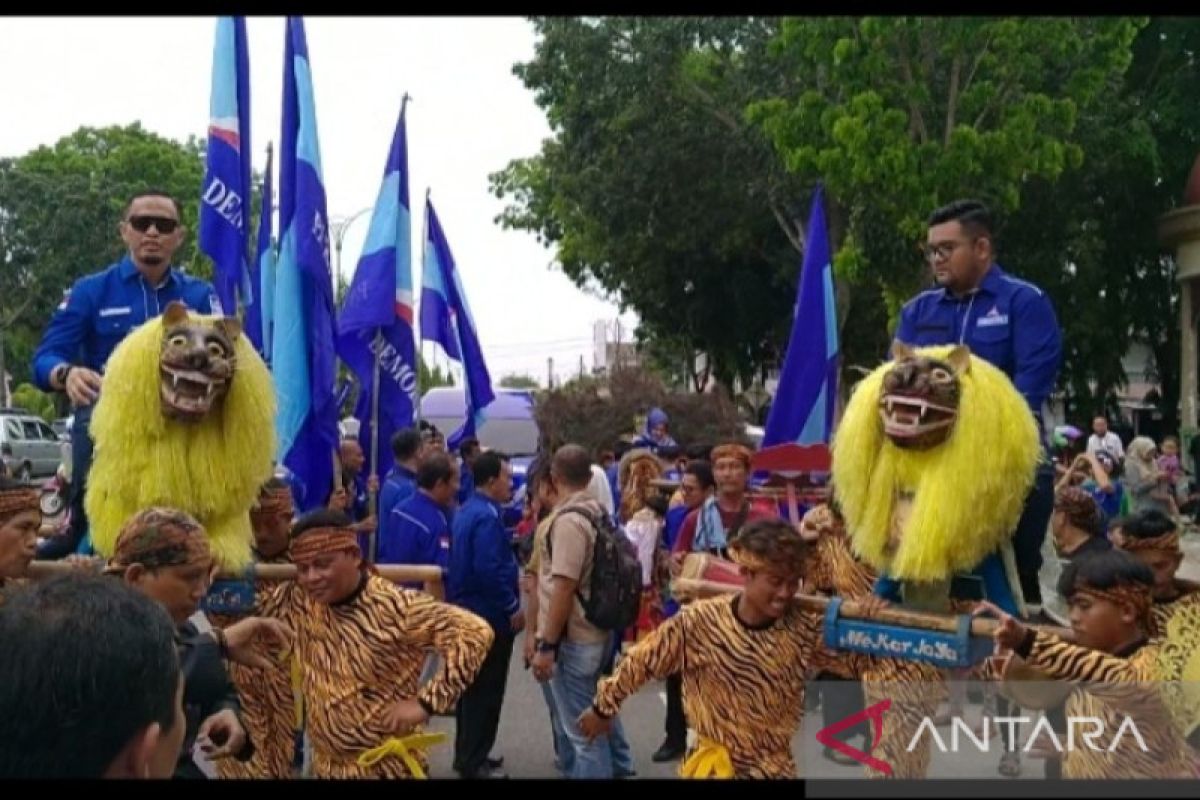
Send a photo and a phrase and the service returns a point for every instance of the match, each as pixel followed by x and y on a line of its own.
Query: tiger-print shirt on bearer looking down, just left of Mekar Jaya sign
pixel 742 688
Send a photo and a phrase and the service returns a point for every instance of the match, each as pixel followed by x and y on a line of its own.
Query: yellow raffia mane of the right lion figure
pixel 969 492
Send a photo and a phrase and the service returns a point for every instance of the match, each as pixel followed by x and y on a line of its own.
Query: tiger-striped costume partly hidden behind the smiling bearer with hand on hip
pixel 268 706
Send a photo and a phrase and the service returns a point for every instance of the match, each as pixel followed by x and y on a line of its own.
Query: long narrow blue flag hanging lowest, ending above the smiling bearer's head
pixel 303 357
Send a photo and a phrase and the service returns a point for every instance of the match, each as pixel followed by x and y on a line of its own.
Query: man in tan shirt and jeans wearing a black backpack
pixel 589 590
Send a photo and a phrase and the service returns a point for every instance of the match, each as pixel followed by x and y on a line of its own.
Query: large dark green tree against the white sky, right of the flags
pixel 655 191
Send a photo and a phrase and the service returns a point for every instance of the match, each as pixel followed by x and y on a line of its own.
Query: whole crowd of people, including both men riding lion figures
pixel 152 663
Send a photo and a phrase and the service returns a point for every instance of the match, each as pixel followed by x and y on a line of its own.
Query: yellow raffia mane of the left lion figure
pixel 213 471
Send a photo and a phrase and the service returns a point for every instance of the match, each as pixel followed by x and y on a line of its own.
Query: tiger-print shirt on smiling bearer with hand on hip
pixel 365 654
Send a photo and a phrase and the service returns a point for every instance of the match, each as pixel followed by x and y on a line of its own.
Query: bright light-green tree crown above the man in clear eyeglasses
pixel 902 115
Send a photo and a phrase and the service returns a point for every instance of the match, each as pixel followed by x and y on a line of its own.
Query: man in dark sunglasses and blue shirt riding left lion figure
pixel 99 311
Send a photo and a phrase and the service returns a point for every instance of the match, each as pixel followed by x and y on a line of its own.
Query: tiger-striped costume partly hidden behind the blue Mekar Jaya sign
pixel 915 689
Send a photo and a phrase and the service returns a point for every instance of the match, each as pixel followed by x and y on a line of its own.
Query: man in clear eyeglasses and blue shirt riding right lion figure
pixel 1010 323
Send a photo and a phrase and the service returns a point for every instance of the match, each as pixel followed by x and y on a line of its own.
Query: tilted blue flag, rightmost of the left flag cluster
pixel 447 321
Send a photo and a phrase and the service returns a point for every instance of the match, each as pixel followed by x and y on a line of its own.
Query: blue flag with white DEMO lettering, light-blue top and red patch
pixel 377 314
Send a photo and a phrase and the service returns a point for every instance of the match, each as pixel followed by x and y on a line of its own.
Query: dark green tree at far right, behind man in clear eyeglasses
pixel 1090 238
